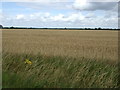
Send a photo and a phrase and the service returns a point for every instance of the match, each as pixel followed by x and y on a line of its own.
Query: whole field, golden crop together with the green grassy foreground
pixel 59 58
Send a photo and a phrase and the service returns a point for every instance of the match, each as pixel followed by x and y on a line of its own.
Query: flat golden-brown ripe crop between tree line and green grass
pixel 71 43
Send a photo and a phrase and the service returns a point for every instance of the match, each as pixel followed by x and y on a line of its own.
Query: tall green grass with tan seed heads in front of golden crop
pixel 57 72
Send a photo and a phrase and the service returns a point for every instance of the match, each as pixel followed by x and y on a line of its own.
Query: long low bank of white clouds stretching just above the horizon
pixel 61 20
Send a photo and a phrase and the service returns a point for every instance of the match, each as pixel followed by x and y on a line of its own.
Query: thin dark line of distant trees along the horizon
pixel 58 28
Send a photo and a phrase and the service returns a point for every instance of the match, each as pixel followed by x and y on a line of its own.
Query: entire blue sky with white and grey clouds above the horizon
pixel 56 13
